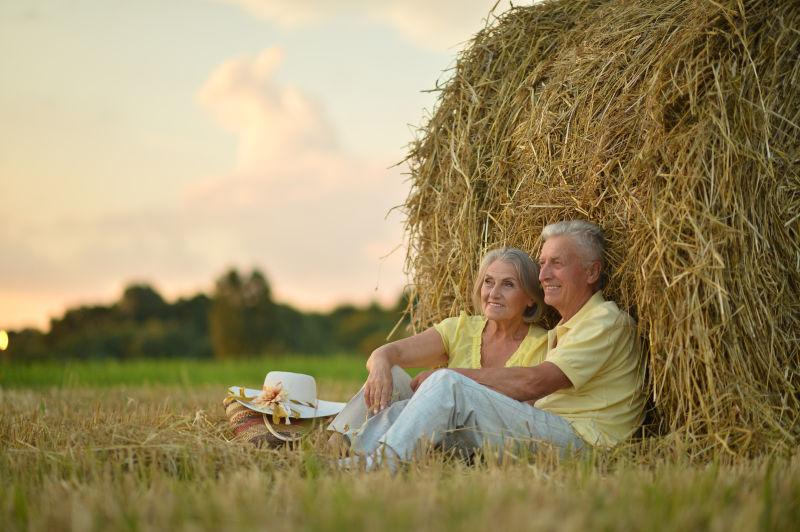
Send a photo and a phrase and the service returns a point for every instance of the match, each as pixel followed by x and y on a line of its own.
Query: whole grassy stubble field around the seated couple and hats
pixel 144 446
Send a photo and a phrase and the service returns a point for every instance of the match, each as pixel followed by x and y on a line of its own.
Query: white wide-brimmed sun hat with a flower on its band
pixel 284 397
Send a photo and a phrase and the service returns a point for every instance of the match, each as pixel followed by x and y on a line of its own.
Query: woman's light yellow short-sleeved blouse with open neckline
pixel 462 343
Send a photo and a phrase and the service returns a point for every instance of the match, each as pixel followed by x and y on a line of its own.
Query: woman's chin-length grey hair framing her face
pixel 527 272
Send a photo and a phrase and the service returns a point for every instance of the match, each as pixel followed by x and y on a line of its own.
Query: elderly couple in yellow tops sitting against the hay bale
pixel 503 378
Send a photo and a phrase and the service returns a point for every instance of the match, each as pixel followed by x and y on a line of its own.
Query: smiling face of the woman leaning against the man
pixel 502 296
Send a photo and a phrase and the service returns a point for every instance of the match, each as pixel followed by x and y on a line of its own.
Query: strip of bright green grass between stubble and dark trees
pixel 186 372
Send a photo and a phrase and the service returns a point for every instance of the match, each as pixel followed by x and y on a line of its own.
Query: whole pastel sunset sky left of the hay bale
pixel 166 142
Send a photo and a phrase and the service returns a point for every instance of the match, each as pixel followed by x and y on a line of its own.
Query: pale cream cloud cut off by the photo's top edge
pixel 434 25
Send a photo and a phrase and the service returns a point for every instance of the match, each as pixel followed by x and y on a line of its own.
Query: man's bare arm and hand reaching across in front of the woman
pixel 522 384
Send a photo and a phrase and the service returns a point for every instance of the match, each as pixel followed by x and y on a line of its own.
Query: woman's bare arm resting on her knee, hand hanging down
pixel 425 349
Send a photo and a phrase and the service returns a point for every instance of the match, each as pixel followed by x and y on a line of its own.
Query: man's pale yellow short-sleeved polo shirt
pixel 598 350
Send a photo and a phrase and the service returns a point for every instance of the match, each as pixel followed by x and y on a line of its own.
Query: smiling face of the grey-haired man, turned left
pixel 567 282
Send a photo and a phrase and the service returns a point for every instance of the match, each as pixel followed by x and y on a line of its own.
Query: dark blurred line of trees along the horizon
pixel 239 319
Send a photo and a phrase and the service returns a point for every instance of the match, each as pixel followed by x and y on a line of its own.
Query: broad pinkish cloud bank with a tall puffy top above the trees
pixel 294 204
